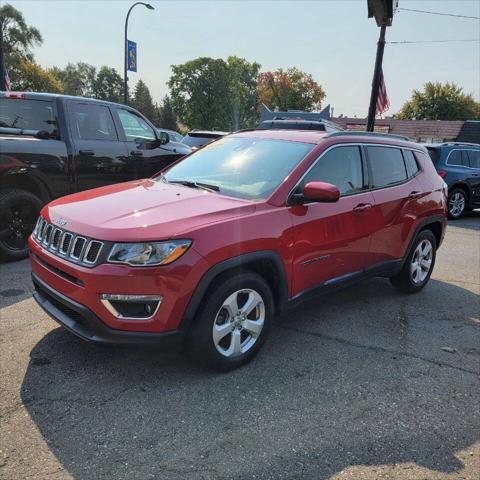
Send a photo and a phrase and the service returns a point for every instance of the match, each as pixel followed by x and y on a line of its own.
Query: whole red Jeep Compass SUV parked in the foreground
pixel 211 249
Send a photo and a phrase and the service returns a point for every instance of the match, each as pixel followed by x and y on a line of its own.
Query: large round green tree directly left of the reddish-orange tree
pixel 213 94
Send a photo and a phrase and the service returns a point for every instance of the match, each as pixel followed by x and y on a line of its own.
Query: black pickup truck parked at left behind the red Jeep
pixel 53 145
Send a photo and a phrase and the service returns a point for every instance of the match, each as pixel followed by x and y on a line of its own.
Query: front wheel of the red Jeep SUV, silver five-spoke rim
pixel 238 336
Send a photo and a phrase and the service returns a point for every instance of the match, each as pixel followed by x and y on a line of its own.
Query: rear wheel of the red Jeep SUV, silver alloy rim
pixel 414 275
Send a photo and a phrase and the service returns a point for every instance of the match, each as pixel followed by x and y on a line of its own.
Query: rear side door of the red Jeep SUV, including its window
pixel 396 193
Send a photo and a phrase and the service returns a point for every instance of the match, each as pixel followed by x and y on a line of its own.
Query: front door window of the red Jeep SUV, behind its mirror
pixel 341 166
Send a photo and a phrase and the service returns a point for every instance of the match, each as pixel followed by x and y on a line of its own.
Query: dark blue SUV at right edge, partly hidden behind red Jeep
pixel 459 166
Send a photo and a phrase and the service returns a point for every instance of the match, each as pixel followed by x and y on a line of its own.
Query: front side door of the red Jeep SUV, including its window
pixel 332 240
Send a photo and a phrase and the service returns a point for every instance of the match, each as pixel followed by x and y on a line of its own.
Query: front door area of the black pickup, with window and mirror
pixel 141 143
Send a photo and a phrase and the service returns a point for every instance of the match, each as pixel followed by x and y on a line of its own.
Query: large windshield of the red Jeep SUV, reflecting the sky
pixel 243 167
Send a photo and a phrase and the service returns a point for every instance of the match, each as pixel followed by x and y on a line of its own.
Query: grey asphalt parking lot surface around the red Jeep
pixel 364 384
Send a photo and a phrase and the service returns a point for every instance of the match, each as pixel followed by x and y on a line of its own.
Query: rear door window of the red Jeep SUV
pixel 387 166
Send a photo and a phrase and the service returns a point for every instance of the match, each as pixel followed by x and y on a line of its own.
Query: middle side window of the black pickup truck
pixel 92 122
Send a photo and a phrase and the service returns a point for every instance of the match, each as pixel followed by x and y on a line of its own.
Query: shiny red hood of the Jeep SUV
pixel 142 210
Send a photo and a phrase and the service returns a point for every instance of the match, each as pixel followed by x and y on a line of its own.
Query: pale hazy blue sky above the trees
pixel 331 39
